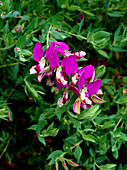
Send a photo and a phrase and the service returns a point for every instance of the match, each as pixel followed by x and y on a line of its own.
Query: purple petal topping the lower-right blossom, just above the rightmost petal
pixel 89 71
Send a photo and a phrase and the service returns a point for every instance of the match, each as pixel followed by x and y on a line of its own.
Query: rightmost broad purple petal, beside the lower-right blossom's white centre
pixel 93 87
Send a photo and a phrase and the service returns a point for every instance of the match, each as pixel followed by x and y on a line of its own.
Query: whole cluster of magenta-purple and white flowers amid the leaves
pixel 80 81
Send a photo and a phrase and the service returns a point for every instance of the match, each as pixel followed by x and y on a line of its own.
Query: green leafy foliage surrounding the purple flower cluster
pixel 35 132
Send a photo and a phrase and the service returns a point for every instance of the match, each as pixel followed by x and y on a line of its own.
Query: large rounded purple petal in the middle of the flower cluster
pixel 69 65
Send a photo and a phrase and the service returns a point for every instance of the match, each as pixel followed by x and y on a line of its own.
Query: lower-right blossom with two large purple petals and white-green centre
pixel 86 95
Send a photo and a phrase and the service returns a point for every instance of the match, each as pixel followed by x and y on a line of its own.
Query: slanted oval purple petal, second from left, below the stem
pixel 49 52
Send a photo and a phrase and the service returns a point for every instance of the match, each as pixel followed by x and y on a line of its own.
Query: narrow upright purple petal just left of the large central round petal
pixel 54 61
